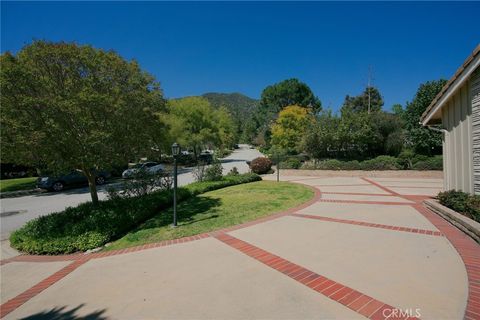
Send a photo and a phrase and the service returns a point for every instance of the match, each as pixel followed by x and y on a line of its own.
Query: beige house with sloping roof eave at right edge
pixel 456 112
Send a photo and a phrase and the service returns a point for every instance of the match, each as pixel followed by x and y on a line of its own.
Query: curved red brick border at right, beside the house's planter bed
pixel 469 250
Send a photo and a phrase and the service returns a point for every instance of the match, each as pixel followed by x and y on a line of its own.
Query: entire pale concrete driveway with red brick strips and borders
pixel 362 248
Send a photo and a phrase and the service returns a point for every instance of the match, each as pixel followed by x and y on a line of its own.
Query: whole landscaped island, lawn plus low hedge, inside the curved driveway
pixel 147 218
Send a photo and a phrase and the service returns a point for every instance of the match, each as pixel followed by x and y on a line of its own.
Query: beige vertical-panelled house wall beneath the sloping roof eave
pixel 458 142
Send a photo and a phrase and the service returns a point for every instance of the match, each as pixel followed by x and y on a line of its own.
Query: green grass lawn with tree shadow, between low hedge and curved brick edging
pixel 216 210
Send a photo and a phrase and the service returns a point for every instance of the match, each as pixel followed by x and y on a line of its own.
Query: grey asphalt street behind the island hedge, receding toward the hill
pixel 17 211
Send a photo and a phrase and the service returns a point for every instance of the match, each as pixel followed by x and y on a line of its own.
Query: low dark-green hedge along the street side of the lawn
pixel 87 227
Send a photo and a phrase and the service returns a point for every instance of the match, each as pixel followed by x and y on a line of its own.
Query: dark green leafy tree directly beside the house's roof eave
pixel 421 139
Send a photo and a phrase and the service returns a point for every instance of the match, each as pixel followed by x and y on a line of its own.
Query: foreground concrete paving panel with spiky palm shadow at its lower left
pixel 204 279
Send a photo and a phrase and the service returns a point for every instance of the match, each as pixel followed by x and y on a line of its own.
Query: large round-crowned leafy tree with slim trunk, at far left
pixel 66 106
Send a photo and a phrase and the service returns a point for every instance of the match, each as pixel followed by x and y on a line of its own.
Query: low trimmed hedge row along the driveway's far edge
pixel 378 163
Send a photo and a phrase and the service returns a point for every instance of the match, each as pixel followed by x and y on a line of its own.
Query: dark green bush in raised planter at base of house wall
pixel 461 202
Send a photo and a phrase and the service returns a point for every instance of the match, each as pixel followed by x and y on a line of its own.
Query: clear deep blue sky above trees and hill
pixel 193 48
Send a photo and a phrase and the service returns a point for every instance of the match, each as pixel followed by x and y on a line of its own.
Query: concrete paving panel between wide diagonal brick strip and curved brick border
pixel 402 269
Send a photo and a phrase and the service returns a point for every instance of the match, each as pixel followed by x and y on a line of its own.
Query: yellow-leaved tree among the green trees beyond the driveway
pixel 288 130
